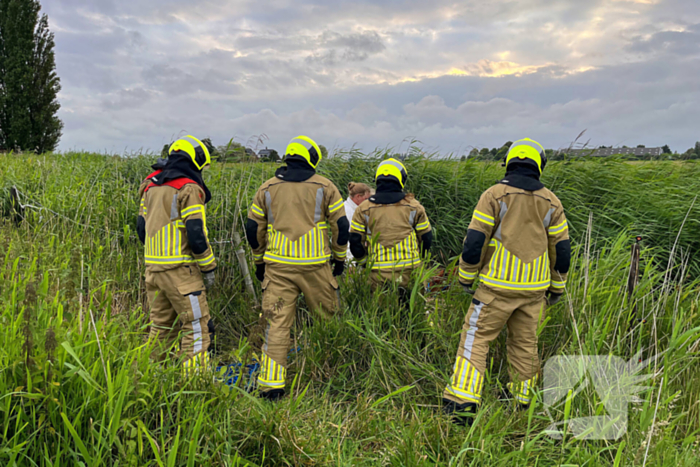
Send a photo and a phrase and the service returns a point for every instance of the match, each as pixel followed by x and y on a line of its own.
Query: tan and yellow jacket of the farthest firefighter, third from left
pixel 396 233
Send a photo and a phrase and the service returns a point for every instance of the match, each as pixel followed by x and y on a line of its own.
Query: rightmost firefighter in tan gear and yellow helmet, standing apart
pixel 518 244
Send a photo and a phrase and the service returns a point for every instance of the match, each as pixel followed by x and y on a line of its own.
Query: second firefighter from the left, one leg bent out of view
pixel 287 228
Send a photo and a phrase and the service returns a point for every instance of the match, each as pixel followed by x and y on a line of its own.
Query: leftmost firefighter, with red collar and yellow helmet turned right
pixel 180 264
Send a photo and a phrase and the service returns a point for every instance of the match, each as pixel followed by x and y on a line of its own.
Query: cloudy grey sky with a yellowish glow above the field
pixel 453 75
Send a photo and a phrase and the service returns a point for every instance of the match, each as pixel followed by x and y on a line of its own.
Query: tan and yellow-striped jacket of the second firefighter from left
pixel 289 222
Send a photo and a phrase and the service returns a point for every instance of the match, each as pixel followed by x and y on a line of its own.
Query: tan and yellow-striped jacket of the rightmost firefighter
pixel 518 240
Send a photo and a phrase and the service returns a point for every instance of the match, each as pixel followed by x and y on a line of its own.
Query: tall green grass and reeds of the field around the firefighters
pixel 77 386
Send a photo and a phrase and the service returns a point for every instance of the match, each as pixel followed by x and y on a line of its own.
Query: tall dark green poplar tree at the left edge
pixel 29 84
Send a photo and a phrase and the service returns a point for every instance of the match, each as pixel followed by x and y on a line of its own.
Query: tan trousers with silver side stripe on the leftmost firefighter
pixel 178 301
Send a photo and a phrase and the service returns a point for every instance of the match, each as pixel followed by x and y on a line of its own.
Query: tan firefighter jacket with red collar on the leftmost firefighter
pixel 172 226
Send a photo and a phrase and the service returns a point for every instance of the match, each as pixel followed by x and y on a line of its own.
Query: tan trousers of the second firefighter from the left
pixel 281 288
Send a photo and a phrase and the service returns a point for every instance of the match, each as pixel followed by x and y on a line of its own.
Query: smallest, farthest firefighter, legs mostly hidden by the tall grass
pixel 395 225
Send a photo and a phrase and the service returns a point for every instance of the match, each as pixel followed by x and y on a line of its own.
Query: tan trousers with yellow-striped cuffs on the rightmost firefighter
pixel 489 312
